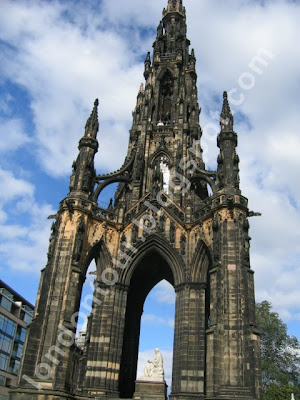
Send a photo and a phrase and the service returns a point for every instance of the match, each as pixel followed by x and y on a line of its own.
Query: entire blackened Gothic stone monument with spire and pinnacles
pixel 170 219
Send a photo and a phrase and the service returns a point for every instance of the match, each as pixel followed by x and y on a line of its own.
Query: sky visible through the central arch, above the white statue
pixel 157 328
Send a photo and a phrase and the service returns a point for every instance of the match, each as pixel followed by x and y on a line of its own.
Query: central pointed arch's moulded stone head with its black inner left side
pixel 154 261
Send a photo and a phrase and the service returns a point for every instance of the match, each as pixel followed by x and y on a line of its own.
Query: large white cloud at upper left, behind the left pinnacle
pixel 63 86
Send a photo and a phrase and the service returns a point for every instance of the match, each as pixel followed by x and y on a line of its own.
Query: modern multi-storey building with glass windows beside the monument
pixel 15 315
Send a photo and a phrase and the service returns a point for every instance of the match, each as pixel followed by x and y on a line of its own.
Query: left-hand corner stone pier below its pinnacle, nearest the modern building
pixel 52 333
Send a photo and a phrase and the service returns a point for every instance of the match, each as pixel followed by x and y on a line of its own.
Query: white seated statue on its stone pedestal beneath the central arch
pixel 152 384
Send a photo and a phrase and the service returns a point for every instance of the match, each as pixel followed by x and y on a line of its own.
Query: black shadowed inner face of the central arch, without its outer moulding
pixel 151 270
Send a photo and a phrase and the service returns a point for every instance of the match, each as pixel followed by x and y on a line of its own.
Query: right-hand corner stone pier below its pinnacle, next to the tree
pixel 232 340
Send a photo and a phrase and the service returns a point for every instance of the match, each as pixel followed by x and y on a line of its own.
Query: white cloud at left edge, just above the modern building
pixel 22 247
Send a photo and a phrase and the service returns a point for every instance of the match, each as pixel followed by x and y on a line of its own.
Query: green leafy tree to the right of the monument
pixel 280 356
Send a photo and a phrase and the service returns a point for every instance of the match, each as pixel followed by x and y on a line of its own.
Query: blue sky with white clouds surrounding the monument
pixel 58 56
